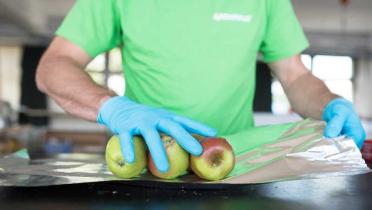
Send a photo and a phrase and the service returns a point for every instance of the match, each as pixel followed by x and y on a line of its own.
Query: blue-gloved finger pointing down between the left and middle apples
pixel 156 148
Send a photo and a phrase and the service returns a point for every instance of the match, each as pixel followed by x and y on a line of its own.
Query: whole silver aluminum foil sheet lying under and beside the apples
pixel 300 152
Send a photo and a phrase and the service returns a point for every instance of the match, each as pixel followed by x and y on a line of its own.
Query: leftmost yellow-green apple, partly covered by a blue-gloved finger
pixel 116 163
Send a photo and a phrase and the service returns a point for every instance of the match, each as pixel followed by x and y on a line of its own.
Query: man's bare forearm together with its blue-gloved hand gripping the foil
pixel 310 97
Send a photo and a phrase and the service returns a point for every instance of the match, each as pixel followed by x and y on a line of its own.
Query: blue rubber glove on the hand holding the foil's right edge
pixel 342 119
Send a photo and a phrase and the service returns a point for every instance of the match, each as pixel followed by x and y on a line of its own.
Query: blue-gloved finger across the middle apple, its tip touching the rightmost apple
pixel 183 138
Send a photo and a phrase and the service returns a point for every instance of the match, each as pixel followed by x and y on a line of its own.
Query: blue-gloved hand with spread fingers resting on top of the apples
pixel 127 118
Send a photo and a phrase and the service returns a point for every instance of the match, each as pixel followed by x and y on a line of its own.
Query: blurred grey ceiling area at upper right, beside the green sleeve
pixel 334 29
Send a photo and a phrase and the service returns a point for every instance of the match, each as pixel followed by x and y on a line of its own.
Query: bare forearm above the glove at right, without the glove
pixel 307 94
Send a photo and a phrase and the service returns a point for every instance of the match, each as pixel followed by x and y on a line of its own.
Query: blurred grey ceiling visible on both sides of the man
pixel 329 26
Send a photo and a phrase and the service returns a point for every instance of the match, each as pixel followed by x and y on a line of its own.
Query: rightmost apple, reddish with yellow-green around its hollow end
pixel 216 161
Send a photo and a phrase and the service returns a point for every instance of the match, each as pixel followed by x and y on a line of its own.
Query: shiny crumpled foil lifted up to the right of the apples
pixel 301 152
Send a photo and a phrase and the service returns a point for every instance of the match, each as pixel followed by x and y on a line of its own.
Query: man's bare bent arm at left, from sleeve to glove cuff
pixel 61 75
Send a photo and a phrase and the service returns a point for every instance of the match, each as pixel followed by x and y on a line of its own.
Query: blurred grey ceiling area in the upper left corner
pixel 31 20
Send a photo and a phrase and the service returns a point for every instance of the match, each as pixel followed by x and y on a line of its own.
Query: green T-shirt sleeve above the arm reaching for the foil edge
pixel 284 36
